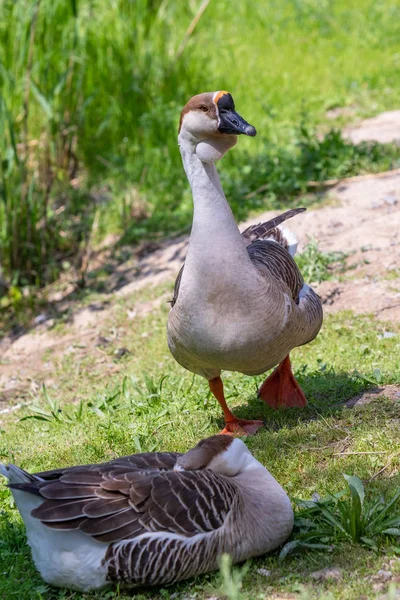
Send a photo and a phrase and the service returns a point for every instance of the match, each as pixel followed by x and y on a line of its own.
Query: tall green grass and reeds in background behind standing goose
pixel 90 93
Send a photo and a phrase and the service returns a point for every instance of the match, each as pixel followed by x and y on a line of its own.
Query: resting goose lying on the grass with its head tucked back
pixel 151 518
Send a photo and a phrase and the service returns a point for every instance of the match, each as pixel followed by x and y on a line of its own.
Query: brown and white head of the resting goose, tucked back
pixel 223 454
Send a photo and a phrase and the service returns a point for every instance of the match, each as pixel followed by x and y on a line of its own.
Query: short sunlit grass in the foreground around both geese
pixel 152 404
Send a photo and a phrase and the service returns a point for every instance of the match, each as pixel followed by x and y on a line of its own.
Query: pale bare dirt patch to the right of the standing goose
pixel 364 222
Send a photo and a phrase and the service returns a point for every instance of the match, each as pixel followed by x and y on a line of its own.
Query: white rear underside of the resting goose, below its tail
pixel 63 558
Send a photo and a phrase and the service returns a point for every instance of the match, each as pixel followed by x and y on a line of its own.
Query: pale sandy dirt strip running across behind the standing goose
pixel 360 217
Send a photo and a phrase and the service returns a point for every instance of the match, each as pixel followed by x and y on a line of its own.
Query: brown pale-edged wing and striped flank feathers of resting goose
pixel 117 502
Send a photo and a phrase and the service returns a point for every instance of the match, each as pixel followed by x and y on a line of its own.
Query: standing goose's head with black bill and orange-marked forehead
pixel 211 124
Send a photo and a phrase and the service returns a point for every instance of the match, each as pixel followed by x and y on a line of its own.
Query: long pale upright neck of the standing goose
pixel 214 227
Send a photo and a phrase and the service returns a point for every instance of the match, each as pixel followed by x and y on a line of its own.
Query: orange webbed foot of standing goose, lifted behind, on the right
pixel 281 388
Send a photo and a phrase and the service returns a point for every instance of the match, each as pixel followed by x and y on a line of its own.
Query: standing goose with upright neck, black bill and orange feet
pixel 240 302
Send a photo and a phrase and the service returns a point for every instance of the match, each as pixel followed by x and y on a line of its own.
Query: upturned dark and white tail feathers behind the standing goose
pixel 273 230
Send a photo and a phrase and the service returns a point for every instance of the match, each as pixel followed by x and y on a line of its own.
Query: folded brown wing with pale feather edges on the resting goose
pixel 112 503
